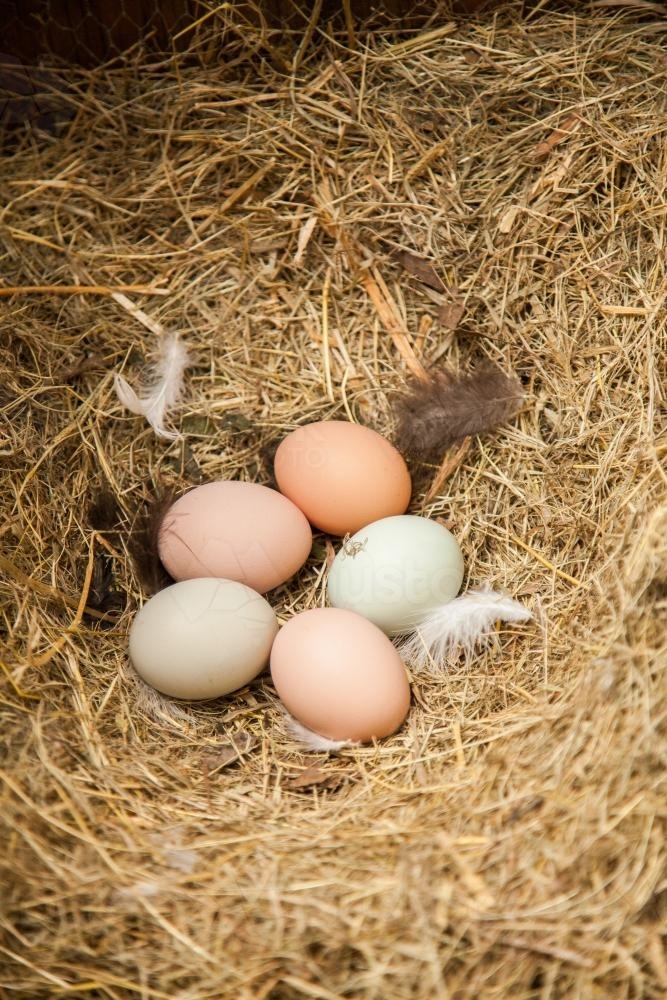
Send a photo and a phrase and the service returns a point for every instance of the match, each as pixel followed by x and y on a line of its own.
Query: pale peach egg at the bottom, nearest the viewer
pixel 339 675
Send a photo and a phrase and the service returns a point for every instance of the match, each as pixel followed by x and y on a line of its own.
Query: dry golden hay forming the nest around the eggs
pixel 509 840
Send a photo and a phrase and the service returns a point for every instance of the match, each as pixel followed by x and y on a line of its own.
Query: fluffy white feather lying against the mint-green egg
pixel 462 625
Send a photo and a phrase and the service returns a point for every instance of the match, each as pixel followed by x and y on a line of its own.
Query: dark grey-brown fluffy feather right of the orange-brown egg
pixel 437 413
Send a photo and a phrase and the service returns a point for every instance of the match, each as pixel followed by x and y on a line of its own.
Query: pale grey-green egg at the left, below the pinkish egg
pixel 202 638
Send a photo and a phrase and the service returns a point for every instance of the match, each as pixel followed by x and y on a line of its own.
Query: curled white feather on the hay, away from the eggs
pixel 163 388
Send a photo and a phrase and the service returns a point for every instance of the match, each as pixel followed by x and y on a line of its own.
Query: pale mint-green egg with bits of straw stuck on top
pixel 395 570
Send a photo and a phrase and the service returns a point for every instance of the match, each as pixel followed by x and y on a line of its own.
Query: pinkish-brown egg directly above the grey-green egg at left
pixel 237 531
